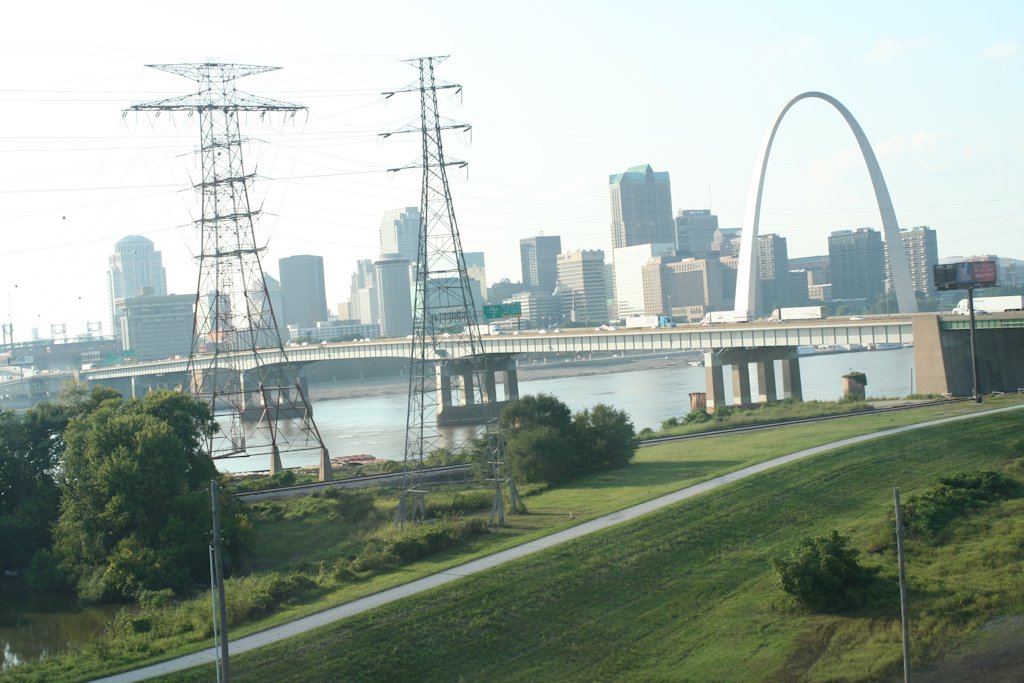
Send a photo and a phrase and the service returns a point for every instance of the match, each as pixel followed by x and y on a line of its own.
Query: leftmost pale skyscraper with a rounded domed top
pixel 134 266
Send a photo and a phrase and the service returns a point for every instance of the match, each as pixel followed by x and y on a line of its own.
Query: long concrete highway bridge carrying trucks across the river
pixel 942 356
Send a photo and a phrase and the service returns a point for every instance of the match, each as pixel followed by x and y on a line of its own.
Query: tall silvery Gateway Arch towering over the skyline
pixel 747 277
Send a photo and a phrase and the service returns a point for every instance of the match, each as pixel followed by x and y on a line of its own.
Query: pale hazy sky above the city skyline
pixel 561 95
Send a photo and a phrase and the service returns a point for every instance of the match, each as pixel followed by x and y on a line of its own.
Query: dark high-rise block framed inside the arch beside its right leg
pixel 859 265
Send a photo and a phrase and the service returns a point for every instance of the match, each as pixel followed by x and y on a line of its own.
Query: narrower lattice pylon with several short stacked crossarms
pixel 447 363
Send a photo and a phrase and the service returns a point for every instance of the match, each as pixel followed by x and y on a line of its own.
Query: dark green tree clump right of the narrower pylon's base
pixel 546 443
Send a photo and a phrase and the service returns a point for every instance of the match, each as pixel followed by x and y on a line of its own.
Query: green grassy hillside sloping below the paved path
pixel 688 593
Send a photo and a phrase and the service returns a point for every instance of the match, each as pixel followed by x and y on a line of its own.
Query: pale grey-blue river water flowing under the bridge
pixel 376 425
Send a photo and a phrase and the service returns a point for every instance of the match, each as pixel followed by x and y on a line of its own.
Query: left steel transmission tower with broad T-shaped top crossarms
pixel 238 362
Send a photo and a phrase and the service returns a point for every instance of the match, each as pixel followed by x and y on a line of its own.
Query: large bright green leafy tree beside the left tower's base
pixel 135 513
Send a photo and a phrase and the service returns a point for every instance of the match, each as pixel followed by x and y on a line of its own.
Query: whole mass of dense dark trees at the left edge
pixel 106 496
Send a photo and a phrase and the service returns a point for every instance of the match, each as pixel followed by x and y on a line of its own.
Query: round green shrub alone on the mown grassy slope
pixel 824 574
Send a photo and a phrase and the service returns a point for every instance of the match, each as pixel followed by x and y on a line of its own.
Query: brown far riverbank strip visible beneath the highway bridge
pixel 380 387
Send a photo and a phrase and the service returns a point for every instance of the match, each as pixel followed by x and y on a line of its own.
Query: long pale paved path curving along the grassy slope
pixel 370 603
